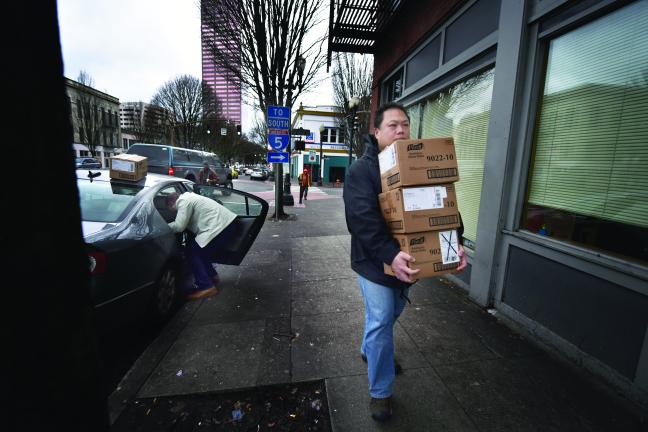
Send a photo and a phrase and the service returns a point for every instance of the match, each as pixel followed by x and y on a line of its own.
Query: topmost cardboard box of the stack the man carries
pixel 418 163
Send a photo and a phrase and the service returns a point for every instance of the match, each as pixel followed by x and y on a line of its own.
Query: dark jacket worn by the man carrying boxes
pixel 372 244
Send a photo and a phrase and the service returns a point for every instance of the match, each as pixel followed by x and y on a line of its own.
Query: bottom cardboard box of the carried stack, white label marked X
pixel 436 252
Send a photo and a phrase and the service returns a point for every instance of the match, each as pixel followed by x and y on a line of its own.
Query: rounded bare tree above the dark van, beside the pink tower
pixel 183 98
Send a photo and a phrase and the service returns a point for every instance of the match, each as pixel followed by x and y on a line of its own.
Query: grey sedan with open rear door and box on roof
pixel 136 262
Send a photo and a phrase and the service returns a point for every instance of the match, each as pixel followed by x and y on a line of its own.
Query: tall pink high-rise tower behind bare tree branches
pixel 225 85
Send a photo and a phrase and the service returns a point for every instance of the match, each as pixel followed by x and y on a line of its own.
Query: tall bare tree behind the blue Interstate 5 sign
pixel 263 44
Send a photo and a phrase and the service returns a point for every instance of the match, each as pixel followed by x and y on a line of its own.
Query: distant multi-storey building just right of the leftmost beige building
pixel 143 122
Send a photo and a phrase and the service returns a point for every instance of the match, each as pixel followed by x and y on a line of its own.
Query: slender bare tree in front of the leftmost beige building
pixel 87 114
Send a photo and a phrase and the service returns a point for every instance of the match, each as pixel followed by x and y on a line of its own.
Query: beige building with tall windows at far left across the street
pixel 95 121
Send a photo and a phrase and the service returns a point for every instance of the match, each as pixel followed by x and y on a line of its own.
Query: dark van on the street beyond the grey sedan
pixel 181 162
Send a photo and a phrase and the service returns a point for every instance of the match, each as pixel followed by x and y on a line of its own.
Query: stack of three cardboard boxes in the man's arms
pixel 419 203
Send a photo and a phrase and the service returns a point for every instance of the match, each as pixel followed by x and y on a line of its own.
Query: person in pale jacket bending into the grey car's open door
pixel 211 223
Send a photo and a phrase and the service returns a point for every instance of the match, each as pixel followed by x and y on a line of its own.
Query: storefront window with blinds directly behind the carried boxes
pixel 462 112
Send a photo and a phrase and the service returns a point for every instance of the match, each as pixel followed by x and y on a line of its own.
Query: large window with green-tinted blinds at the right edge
pixel 588 182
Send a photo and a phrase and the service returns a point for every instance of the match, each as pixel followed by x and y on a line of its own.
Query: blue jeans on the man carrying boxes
pixel 383 306
